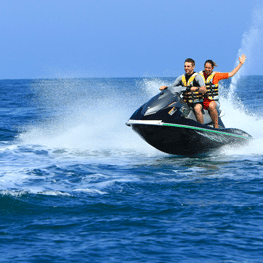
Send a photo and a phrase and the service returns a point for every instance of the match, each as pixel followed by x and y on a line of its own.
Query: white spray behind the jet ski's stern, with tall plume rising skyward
pixel 237 116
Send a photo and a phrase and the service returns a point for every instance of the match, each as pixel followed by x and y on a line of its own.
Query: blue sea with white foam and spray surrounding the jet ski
pixel 77 185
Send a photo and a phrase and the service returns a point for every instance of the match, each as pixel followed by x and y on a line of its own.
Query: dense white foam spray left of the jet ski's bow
pixel 96 124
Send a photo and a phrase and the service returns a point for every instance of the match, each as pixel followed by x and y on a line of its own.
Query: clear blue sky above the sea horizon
pixel 125 38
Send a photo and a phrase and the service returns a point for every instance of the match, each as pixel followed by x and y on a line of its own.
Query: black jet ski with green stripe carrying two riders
pixel 167 123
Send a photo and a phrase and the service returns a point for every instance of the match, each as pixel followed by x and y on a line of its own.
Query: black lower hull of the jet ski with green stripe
pixel 188 140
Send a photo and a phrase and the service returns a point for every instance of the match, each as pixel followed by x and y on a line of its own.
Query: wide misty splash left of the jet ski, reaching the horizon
pixel 87 115
